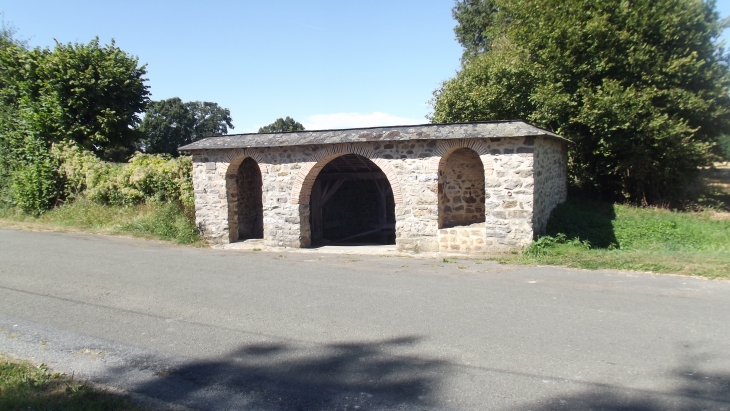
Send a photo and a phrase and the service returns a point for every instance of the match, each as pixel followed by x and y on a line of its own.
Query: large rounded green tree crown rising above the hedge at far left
pixel 87 93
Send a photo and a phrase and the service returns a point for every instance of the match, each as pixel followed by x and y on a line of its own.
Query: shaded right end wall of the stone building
pixel 551 180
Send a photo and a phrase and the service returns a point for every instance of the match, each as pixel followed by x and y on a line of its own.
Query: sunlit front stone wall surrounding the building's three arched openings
pixel 412 170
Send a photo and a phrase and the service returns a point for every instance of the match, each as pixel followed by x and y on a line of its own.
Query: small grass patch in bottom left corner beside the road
pixel 24 386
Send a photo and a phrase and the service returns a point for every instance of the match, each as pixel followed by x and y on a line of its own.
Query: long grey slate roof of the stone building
pixel 510 128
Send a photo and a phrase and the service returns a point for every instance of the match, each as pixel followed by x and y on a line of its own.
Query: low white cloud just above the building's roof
pixel 356 120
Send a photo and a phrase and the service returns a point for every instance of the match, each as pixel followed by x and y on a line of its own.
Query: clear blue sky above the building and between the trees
pixel 328 64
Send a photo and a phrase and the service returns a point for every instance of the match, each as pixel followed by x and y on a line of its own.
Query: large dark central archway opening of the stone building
pixel 351 201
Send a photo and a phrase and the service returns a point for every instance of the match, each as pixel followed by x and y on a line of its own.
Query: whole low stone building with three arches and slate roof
pixel 472 187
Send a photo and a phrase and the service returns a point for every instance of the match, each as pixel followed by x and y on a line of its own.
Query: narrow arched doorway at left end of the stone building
pixel 245 203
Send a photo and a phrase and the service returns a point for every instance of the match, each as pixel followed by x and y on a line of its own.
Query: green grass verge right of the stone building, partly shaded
pixel 594 235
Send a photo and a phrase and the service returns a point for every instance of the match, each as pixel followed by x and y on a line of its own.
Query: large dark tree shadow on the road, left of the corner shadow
pixel 283 377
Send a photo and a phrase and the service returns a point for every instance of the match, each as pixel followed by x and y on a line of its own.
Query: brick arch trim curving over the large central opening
pixel 308 173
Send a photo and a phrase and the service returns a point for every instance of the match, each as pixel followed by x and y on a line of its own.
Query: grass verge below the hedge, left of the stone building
pixel 163 221
